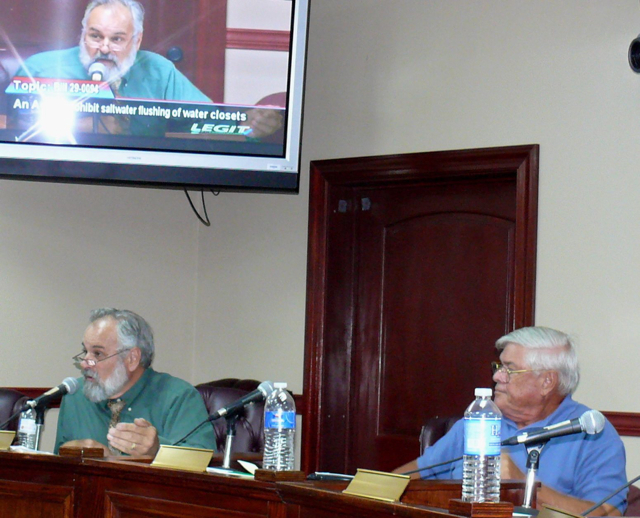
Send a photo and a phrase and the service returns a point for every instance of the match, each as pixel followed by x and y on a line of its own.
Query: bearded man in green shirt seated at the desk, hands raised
pixel 126 407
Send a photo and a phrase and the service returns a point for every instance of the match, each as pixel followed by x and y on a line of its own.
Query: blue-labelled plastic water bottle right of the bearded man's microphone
pixel 279 430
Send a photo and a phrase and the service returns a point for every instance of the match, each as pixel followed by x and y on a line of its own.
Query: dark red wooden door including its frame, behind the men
pixel 417 264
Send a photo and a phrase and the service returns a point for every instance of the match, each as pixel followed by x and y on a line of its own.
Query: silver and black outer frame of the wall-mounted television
pixel 165 168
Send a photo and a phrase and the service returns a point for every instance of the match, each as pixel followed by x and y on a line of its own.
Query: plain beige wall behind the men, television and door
pixel 384 76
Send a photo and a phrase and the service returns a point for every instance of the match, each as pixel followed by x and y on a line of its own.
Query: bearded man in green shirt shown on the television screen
pixel 110 44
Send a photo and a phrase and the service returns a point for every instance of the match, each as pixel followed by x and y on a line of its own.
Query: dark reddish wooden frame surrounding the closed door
pixel 334 176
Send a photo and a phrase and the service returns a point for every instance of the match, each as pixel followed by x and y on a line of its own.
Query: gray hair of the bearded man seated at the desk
pixel 133 331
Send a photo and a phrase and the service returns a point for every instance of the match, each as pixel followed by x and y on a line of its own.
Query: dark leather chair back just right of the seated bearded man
pixel 250 424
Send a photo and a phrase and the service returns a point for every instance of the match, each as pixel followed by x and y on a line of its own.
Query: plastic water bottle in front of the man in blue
pixel 481 468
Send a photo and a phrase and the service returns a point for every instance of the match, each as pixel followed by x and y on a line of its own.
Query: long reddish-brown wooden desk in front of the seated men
pixel 34 486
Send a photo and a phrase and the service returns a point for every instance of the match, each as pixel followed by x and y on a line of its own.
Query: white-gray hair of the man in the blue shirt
pixel 548 349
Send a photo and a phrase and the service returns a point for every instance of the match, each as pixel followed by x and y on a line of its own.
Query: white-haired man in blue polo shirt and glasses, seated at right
pixel 537 373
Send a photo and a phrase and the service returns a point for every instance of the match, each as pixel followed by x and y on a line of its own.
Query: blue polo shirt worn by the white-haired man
pixel 589 467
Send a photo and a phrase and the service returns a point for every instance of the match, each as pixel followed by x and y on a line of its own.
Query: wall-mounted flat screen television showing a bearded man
pixel 195 94
